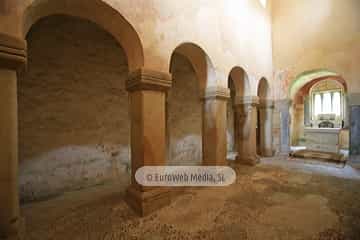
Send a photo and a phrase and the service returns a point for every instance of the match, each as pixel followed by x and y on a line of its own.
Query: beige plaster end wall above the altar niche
pixel 309 35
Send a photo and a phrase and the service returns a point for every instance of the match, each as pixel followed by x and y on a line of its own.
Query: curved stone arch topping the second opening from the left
pixel 201 63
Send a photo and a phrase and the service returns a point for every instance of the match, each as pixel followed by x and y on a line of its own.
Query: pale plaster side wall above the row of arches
pixel 161 26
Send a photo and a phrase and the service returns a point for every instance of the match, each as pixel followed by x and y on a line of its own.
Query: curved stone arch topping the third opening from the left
pixel 240 81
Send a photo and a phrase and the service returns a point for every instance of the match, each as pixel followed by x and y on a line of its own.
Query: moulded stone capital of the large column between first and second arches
pixel 146 79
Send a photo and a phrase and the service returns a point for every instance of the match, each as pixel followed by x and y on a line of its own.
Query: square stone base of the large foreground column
pixel 148 201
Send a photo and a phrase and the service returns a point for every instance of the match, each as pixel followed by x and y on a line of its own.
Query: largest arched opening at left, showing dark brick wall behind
pixel 73 109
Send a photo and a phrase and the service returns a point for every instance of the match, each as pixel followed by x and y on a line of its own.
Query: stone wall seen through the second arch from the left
pixel 184 114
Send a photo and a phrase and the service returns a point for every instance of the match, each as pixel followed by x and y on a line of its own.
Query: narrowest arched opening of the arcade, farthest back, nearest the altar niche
pixel 264 123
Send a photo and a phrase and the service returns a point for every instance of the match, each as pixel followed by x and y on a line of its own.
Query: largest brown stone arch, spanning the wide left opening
pixel 96 11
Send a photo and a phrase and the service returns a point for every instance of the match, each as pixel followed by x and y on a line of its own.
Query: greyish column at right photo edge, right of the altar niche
pixel 354 106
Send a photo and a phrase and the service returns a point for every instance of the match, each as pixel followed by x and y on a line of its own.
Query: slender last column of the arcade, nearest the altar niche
pixel 266 108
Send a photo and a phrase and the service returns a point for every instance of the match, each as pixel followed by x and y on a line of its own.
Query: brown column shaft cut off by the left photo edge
pixel 9 199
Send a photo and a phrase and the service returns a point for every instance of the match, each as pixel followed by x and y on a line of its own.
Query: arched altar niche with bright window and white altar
pixel 319 117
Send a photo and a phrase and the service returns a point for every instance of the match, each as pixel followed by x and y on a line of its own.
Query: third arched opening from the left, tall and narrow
pixel 238 84
